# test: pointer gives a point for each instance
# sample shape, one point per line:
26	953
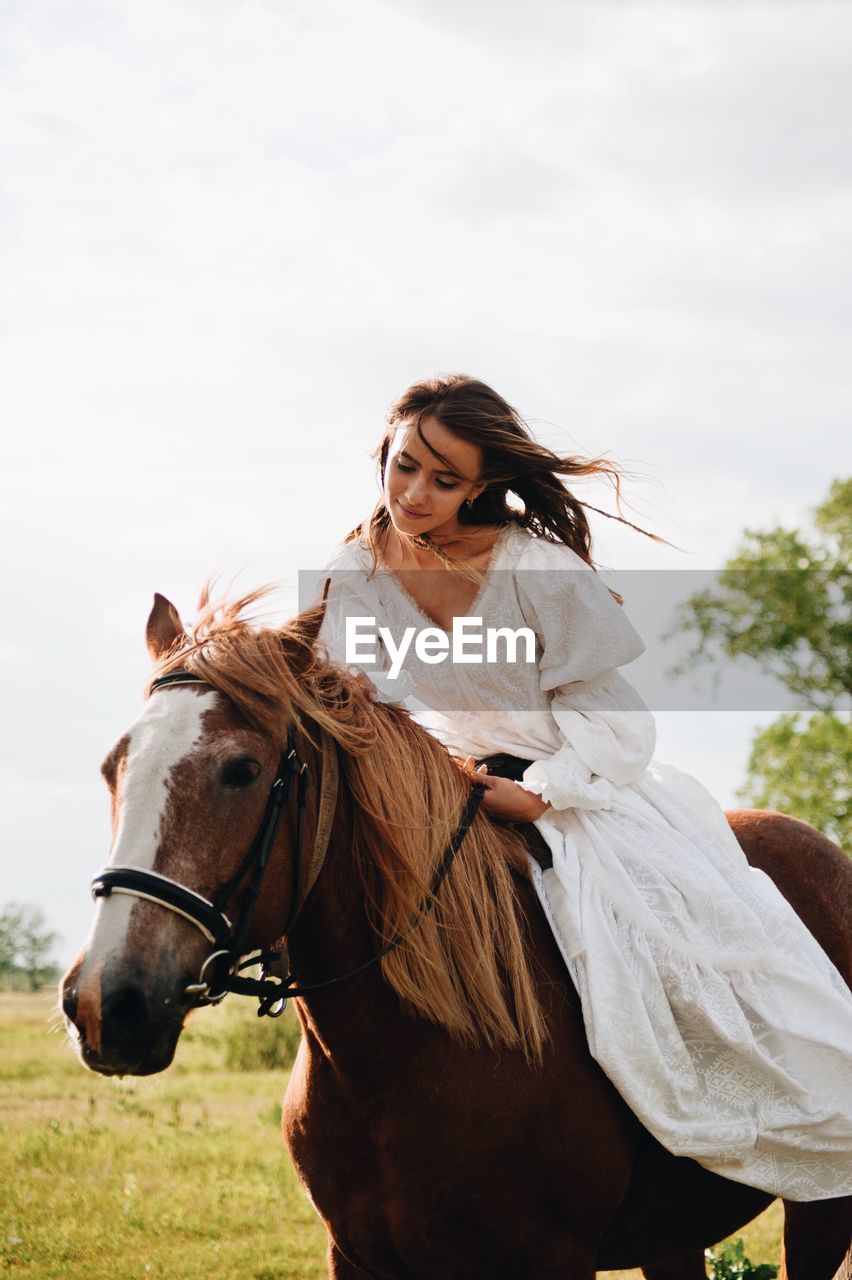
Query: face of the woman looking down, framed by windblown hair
424	493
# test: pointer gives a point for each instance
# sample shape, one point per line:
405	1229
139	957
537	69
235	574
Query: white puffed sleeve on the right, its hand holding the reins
607	730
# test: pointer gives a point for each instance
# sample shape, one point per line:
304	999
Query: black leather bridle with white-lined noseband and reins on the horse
222	971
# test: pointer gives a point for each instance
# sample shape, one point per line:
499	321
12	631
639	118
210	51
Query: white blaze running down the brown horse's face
166	734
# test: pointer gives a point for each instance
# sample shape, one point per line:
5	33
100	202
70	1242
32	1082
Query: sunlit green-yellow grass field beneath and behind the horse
176	1177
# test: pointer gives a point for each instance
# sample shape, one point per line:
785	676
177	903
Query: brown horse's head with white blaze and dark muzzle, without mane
203	796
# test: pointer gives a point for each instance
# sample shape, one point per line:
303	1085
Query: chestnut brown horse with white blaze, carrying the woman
445	1112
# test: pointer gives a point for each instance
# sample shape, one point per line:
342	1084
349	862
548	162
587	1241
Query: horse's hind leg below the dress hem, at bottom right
818	1240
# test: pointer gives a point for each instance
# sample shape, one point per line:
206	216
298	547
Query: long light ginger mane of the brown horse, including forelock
468	966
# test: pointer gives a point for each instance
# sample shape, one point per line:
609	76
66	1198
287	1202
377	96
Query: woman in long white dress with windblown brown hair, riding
707	1002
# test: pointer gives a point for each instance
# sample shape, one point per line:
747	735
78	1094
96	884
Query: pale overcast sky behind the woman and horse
233	231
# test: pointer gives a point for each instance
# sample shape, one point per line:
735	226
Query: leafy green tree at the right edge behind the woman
784	602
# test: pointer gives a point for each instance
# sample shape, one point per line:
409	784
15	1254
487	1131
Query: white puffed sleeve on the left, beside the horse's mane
352	595
